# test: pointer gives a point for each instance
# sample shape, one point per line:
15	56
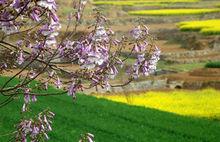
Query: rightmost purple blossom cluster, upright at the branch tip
147	53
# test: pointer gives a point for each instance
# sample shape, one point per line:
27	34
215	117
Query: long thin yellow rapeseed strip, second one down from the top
172	12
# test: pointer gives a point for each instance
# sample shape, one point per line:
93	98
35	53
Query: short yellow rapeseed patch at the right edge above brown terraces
205	27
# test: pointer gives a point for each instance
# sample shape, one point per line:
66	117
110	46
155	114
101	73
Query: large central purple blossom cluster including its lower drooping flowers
93	55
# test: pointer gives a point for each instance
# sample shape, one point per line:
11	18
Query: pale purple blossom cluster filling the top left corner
10	22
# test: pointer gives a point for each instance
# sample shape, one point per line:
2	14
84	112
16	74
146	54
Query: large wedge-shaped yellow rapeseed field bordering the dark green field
203	103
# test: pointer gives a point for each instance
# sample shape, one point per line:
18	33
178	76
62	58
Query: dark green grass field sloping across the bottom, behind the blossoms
111	122
